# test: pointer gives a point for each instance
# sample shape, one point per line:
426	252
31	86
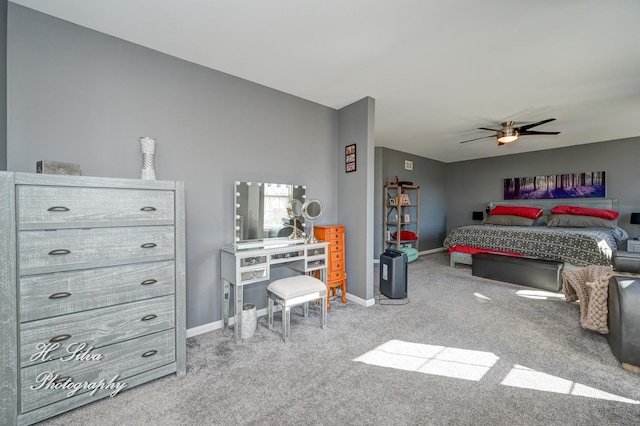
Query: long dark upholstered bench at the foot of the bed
538	273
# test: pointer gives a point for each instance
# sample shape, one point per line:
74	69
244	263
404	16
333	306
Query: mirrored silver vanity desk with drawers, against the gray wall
247	264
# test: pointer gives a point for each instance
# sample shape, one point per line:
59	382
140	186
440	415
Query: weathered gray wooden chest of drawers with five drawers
92	289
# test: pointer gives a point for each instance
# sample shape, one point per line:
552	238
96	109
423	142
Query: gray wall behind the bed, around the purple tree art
471	184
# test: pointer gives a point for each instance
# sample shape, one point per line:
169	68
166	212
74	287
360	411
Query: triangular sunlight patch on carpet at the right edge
523	377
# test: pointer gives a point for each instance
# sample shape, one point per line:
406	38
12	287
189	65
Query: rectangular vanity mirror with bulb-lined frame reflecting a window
261	212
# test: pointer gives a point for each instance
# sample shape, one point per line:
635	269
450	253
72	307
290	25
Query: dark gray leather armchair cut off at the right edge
624	310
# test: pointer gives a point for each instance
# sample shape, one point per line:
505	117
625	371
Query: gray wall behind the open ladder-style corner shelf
430	176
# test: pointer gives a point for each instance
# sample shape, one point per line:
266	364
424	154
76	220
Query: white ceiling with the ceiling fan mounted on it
438	69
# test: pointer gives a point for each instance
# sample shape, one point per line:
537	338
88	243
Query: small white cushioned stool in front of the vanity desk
292	291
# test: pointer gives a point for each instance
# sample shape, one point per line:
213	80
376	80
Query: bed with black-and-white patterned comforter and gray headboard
573	246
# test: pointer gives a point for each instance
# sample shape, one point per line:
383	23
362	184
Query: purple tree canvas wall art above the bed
572	185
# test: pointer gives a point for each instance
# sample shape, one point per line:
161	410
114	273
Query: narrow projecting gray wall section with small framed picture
355	196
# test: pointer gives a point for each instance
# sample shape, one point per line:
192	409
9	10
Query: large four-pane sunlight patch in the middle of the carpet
429	359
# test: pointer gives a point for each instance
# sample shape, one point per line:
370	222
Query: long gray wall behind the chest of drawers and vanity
80	96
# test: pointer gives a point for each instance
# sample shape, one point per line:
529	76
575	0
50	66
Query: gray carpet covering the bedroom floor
314	379
